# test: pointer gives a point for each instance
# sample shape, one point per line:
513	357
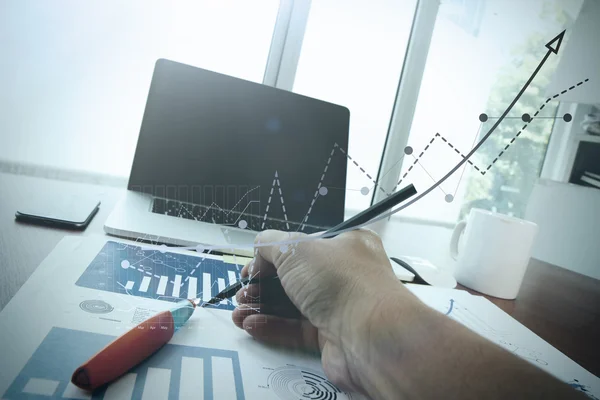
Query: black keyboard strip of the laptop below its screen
217	215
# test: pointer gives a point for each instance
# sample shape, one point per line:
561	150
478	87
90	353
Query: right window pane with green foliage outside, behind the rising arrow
476	68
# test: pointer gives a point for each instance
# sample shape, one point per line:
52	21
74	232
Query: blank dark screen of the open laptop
219	141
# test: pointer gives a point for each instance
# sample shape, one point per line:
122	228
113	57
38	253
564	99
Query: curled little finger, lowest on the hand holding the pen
280	331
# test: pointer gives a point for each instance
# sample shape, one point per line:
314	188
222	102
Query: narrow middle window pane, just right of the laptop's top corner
352	55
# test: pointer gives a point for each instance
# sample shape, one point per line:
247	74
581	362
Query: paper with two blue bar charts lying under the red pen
82	297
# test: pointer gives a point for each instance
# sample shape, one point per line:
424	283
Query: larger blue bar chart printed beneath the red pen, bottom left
174	372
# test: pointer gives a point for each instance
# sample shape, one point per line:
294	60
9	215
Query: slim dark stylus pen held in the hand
361	218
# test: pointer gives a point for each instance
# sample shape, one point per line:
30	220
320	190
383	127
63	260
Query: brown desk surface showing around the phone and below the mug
560	306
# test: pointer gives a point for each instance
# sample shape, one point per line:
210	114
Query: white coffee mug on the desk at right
494	254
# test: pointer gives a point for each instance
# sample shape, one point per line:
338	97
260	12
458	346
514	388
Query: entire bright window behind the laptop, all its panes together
75	77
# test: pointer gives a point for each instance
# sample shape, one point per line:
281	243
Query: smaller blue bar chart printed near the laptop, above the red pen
131	270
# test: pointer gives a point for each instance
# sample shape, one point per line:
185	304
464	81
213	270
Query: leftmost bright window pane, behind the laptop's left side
75	74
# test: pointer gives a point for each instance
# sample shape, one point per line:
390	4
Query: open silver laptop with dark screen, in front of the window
219	159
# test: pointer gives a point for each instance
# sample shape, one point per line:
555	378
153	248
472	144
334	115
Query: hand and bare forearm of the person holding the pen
341	297
